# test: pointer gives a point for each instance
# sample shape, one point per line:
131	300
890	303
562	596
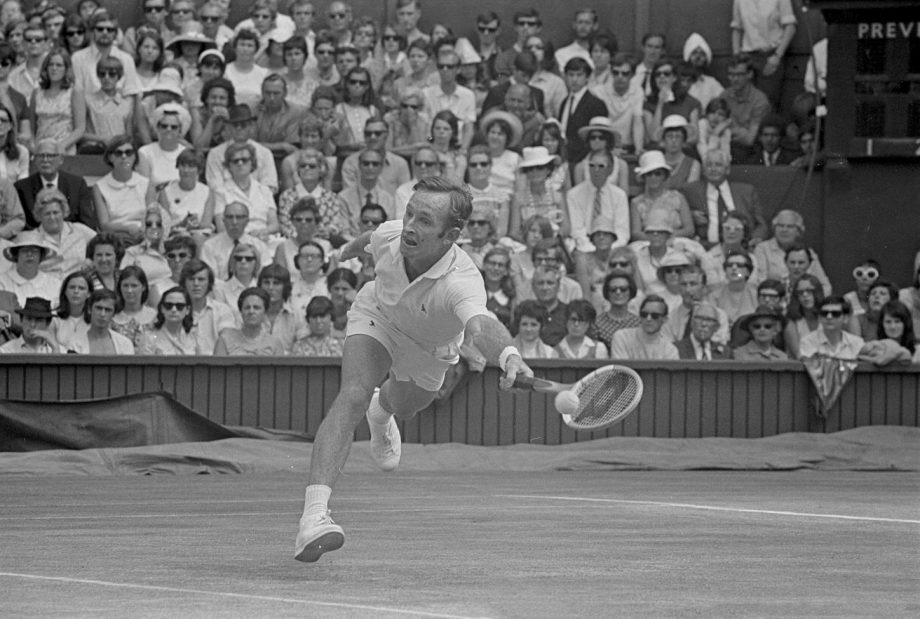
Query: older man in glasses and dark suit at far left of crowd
49	157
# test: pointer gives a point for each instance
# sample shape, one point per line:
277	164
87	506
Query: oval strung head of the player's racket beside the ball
605	396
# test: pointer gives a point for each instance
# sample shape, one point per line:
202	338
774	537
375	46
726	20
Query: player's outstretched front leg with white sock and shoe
365	363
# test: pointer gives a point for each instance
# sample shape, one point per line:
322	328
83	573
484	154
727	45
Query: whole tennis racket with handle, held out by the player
604	397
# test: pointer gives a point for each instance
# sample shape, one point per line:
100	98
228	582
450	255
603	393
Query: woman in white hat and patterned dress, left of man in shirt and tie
534	196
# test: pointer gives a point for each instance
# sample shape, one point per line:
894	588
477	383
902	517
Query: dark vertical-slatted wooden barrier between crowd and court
682	399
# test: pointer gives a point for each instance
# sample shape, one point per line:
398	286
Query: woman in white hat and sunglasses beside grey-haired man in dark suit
653	172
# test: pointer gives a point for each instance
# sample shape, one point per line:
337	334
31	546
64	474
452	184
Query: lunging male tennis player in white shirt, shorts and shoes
408	323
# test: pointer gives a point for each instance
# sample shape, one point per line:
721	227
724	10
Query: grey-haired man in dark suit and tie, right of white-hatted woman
713	197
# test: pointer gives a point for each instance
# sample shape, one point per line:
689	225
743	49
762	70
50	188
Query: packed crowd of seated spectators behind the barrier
243	156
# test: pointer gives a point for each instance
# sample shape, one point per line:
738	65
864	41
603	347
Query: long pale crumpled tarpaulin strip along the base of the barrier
871	448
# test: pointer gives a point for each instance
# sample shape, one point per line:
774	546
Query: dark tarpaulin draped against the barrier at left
128	421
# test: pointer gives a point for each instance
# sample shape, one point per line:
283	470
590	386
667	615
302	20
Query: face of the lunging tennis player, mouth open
425	235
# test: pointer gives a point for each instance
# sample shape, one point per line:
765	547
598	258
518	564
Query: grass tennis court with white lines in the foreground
552	544
